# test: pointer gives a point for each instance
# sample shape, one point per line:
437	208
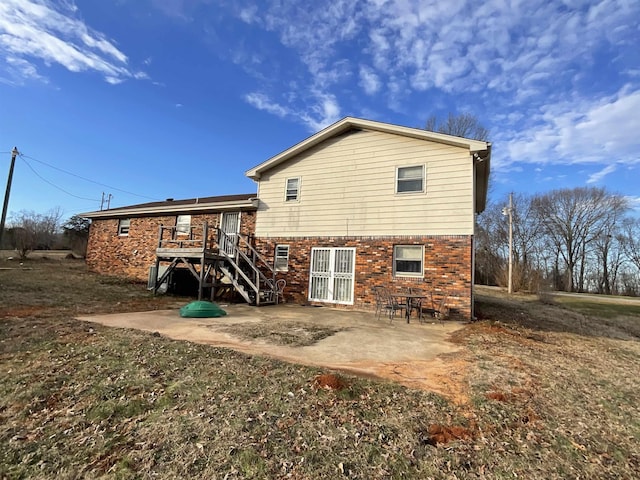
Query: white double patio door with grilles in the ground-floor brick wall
332	275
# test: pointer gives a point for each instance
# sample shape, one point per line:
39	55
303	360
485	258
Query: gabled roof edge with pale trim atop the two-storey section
479	150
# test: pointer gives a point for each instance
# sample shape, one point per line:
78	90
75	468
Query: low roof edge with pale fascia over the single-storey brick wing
246	201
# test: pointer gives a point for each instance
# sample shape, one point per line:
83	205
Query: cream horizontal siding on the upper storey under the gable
348	188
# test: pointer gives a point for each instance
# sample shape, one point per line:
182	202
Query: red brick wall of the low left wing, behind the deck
131	255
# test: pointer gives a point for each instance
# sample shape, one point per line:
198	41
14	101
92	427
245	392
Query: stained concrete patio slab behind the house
398	351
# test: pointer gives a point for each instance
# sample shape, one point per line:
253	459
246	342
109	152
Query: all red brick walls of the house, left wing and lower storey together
447	260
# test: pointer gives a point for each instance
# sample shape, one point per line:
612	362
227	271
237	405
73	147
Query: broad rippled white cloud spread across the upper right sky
522	62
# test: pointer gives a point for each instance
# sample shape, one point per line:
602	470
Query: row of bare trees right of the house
577	240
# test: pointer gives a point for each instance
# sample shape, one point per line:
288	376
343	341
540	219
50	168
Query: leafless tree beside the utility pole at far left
31	230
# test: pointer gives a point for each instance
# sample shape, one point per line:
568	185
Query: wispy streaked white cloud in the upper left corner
33	31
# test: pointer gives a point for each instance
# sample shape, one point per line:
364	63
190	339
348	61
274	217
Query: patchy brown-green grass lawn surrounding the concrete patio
552	391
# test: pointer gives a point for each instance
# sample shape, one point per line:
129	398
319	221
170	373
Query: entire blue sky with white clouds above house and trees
151	99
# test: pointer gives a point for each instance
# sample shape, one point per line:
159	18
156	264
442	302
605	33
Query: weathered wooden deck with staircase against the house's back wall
211	259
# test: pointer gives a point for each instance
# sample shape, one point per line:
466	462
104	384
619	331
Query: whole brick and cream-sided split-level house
357	205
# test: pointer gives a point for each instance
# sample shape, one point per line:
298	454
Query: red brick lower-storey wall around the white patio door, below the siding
447	267
